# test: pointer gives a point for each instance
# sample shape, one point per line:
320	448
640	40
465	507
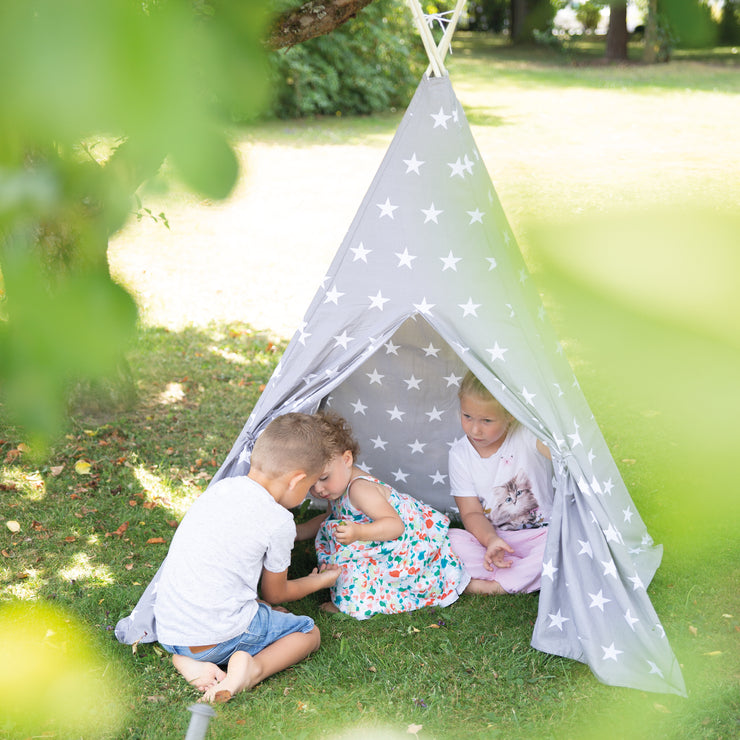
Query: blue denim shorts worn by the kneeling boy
267	627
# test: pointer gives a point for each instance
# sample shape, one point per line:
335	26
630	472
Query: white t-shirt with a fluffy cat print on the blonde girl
514	485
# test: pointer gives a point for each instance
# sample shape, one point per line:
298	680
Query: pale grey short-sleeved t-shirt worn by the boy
208	588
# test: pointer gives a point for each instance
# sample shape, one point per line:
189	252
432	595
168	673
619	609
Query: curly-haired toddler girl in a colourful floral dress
393	550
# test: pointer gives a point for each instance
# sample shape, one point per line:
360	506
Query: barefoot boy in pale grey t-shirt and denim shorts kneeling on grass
239	530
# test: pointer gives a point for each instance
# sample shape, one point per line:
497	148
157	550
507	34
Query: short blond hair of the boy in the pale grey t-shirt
291	442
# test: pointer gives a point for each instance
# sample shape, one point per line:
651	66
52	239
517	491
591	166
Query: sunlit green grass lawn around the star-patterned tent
622	186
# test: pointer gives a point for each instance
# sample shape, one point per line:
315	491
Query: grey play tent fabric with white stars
429	282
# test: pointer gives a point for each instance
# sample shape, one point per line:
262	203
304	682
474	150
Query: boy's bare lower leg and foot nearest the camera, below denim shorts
246	671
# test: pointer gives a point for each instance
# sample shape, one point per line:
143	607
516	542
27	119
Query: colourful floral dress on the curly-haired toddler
415	570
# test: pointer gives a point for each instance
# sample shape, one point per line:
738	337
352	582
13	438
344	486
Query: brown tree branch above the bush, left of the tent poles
312	19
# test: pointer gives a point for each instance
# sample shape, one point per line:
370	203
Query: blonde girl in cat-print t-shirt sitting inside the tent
501	479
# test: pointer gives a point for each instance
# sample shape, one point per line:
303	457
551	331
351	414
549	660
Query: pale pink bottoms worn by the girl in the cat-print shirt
526	562
